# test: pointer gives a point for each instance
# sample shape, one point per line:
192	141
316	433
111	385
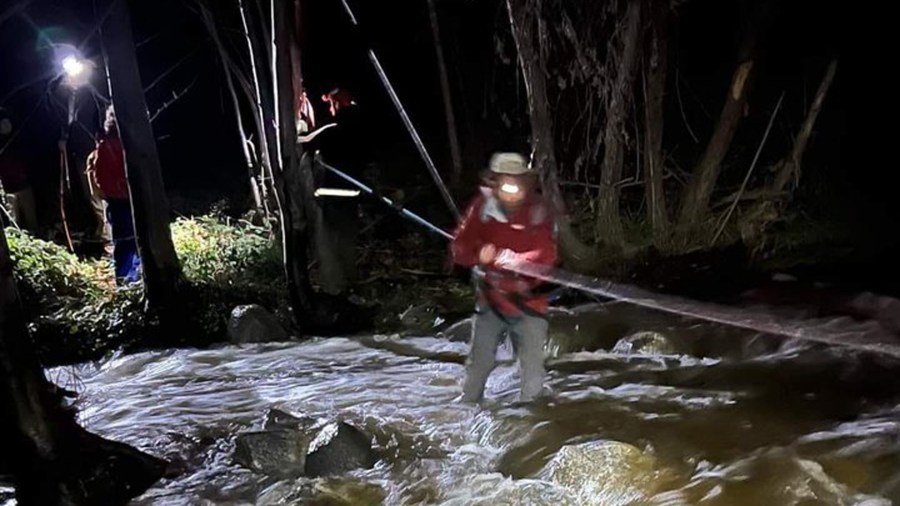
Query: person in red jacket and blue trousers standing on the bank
107	170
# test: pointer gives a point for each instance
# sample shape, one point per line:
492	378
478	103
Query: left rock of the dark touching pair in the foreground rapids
279	453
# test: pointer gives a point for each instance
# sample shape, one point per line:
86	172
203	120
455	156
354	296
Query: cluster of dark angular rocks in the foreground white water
302	446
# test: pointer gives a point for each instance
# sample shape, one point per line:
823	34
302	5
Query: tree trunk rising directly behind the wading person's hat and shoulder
525	21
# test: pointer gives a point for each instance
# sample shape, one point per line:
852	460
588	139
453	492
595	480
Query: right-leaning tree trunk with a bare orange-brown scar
695	202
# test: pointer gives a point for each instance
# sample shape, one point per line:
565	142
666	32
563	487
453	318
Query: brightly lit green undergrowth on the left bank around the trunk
76	311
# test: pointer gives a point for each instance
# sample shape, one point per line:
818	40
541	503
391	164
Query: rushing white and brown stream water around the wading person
716	416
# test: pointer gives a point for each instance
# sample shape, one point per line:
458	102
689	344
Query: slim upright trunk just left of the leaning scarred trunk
656	66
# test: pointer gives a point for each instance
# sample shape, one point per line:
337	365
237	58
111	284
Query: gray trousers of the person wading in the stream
527	334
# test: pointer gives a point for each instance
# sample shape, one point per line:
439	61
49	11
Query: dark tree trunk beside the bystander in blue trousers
148	196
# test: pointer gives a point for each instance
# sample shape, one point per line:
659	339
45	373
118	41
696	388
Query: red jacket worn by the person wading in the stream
529	235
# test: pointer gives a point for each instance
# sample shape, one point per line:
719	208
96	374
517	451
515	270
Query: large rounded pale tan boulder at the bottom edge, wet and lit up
603	473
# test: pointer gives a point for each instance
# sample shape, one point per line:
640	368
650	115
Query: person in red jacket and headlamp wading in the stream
510	222
